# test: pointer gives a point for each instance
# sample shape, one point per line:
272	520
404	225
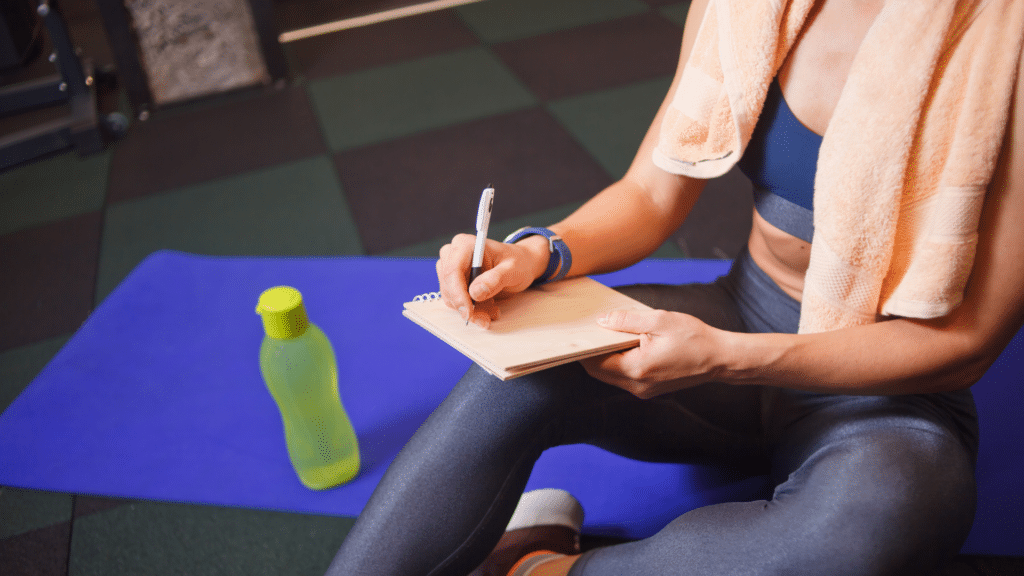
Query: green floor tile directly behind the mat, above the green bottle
292	210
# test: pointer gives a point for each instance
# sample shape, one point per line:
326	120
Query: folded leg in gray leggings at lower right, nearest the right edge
877	496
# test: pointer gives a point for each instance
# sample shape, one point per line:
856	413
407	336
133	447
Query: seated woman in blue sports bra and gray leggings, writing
868	428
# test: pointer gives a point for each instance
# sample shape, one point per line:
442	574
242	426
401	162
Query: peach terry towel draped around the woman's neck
905	162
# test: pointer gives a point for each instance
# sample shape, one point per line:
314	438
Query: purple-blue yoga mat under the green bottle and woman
159	397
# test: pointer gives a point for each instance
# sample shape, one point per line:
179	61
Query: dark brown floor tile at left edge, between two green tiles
50	275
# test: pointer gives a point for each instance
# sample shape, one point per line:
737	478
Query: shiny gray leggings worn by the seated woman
864	485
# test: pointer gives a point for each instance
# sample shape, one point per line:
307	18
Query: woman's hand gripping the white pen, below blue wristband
509	269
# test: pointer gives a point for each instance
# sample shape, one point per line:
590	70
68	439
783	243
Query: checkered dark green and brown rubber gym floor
379	145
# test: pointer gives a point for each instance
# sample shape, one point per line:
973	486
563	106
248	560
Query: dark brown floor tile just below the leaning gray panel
214	140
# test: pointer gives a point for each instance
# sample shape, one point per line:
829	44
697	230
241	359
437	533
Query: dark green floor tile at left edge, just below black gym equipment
52	190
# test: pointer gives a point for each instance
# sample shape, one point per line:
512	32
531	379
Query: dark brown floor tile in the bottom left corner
40	553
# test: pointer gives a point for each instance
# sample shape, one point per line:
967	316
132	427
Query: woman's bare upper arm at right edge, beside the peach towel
993	310
